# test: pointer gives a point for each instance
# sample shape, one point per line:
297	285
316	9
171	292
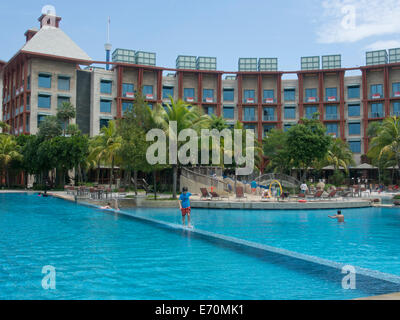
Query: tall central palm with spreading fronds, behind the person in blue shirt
185	116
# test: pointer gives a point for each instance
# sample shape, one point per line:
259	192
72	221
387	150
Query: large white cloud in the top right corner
354	20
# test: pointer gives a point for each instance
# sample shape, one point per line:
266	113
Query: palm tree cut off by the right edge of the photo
386	141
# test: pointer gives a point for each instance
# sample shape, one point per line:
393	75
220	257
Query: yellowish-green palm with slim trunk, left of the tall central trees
105	148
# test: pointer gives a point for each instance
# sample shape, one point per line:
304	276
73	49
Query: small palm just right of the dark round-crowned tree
339	155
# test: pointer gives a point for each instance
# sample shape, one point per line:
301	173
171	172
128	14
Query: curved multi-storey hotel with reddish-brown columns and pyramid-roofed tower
50	69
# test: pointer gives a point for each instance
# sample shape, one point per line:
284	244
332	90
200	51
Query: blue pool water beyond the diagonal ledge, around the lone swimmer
369	237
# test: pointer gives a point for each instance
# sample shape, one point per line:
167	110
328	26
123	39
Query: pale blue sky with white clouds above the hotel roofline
226	29
